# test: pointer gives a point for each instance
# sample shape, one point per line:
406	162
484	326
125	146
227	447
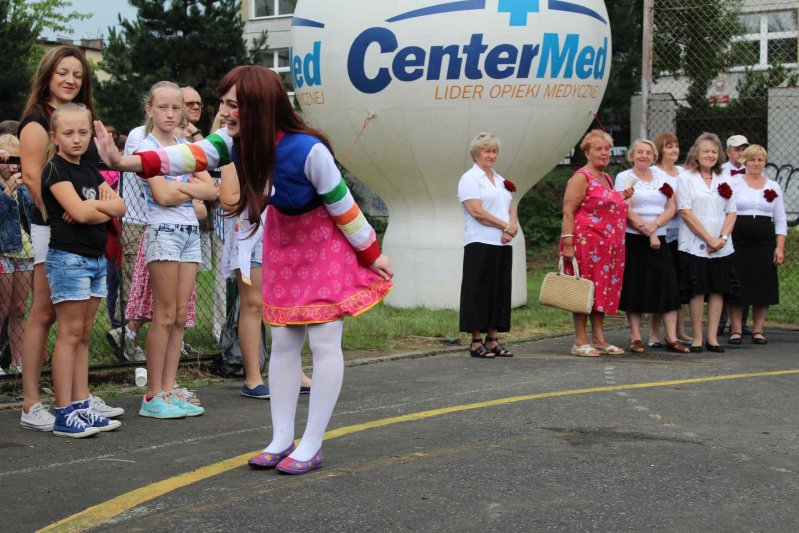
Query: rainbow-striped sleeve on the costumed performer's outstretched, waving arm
212	152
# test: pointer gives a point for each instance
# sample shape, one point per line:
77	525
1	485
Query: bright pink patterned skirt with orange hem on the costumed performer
311	274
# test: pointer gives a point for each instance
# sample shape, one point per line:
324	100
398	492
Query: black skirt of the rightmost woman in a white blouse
754	241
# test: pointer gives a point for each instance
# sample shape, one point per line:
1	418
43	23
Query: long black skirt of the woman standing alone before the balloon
486	287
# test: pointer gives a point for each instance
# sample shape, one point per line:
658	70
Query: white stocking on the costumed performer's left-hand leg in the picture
285	374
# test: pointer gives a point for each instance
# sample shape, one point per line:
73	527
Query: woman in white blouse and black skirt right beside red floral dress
650	279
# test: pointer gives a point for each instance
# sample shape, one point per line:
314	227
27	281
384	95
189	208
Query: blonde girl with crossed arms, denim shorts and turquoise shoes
172	244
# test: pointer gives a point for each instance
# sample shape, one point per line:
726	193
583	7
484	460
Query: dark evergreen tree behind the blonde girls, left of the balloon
189	42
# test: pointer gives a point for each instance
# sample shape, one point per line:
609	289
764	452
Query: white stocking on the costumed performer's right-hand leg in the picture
328	371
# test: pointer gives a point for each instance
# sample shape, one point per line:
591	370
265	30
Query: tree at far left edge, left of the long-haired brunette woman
21	24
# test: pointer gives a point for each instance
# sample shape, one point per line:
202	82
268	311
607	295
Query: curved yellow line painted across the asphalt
101	513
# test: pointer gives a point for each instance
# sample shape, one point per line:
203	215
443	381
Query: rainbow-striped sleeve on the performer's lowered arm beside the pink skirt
352	223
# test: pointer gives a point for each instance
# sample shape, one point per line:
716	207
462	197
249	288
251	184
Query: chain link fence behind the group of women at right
731	67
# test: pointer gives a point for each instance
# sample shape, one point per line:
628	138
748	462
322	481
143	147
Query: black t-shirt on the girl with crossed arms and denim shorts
87	240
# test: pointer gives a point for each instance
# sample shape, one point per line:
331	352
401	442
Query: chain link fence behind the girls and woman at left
109	345
